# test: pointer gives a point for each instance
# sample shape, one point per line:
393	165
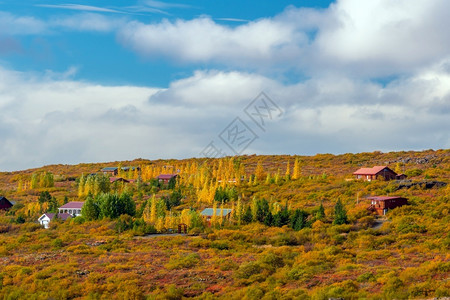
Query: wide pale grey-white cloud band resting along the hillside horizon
56	120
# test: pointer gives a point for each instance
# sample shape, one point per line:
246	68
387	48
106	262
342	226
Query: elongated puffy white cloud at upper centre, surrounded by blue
203	40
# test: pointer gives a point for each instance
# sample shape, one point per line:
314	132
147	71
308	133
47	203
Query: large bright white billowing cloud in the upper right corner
385	37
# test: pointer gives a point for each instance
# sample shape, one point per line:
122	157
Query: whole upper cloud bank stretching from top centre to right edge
363	38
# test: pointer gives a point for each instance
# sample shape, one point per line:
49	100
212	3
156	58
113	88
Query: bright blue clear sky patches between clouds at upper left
60	50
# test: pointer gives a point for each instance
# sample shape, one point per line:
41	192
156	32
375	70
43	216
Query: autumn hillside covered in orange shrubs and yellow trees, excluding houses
277	243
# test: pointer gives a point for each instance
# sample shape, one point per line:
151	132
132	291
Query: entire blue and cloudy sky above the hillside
97	81
